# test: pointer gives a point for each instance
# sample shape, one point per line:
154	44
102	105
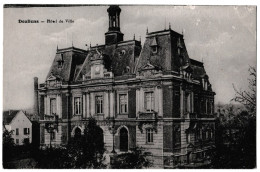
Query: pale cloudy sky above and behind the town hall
223	37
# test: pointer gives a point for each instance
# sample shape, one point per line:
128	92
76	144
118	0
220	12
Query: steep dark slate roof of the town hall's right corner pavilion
167	56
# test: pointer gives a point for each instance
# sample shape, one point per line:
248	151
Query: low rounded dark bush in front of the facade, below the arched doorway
136	159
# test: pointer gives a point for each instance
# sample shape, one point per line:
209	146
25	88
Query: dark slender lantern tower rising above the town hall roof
114	34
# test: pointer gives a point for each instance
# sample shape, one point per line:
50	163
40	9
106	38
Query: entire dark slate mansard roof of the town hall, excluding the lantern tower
128	56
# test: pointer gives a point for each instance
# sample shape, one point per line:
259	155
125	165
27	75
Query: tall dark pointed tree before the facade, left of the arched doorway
88	150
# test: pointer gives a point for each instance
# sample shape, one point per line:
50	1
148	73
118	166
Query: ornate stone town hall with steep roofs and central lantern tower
152	96
